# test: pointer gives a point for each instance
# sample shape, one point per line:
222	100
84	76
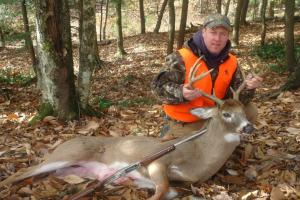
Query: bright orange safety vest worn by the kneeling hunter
181	112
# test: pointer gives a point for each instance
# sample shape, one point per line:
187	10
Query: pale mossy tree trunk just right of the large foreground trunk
87	57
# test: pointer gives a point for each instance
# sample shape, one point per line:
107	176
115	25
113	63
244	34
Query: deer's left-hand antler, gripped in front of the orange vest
193	78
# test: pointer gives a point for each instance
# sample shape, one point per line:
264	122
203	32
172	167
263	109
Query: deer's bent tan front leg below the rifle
158	174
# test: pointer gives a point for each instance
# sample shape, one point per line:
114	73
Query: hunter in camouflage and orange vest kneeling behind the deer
171	85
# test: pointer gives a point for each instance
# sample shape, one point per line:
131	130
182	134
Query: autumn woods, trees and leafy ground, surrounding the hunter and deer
70	68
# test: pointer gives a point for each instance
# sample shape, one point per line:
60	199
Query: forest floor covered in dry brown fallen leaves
265	166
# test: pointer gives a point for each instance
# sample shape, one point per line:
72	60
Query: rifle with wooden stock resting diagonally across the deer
144	162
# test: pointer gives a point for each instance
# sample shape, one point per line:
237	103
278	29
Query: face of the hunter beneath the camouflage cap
215	39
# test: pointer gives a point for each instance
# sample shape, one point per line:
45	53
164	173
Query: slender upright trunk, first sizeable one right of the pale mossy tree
120	52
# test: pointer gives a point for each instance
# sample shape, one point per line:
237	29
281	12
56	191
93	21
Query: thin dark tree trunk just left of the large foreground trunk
28	40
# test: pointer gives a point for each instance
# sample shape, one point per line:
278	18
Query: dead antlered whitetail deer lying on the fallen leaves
195	161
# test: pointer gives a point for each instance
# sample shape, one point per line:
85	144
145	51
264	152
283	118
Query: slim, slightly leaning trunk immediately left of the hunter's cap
184	13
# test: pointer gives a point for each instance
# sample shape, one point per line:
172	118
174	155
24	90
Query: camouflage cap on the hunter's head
216	20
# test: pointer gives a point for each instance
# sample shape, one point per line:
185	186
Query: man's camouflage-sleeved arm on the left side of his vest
168	84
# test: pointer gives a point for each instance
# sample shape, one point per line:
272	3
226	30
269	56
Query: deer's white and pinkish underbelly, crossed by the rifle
100	171
